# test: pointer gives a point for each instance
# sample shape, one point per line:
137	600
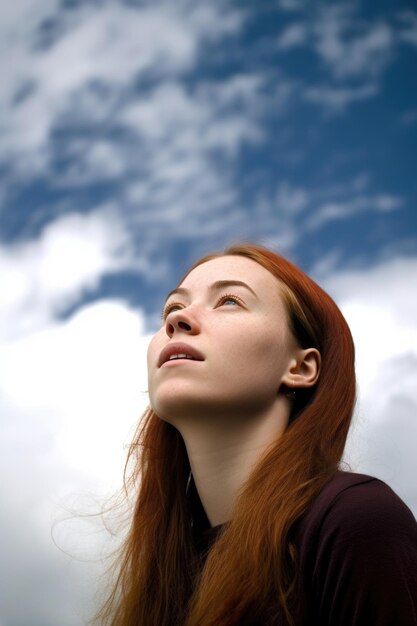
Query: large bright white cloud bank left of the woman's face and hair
70	394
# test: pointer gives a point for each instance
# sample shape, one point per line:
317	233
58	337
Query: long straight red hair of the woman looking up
249	574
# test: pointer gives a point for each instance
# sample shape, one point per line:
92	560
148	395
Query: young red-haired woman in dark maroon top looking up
242	514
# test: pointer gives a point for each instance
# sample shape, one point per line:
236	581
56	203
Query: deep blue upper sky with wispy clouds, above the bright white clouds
283	122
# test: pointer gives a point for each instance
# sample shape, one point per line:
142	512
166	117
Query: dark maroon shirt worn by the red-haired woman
357	554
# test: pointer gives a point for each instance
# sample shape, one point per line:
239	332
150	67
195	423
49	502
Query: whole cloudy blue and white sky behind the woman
136	137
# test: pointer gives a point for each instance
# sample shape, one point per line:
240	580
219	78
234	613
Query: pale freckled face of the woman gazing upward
229	319
